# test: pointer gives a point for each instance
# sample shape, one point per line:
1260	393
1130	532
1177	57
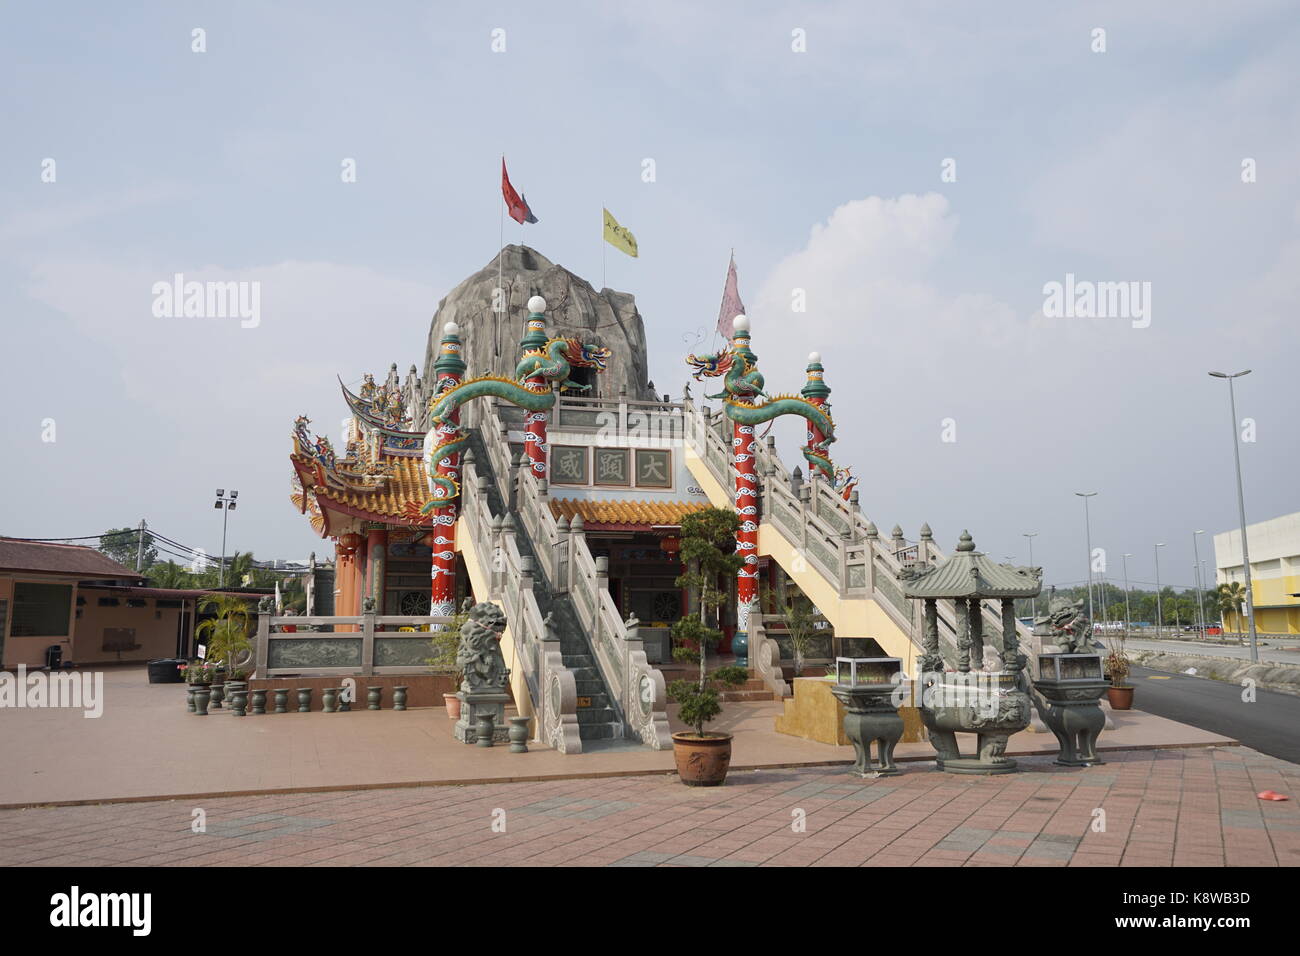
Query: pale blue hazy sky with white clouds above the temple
900	183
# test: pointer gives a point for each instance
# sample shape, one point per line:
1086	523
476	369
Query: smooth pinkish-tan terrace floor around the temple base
146	747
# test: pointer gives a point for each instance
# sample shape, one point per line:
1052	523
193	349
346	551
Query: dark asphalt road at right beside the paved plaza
1271	725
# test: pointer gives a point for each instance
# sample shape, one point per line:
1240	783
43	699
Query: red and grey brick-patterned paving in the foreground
1159	808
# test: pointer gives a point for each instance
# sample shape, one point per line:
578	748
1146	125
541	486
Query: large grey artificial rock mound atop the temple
574	308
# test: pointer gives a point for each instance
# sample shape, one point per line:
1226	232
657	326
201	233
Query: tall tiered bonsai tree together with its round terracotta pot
707	550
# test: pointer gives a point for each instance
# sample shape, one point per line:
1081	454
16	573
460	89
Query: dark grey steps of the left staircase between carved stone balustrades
597	717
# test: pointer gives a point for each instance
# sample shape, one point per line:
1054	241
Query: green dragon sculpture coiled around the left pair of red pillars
551	365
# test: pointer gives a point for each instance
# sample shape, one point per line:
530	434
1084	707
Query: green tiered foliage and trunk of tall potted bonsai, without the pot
708	551
